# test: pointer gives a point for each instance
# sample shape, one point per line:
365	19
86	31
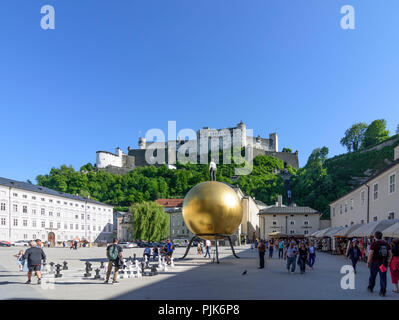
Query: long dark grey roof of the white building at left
39	189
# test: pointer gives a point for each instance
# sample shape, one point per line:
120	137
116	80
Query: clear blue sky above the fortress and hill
114	68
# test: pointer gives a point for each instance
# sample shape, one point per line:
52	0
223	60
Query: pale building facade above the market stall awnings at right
376	199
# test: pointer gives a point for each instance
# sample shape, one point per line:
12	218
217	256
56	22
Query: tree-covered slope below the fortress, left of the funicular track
151	183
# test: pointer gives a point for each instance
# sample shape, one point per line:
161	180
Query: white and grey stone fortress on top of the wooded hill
120	162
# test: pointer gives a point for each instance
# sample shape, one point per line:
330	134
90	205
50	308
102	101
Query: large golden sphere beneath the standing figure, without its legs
212	208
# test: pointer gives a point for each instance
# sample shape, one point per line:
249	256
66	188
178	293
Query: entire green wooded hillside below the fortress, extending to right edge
318	183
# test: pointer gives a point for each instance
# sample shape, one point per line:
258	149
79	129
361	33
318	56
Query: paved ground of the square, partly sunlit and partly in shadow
193	278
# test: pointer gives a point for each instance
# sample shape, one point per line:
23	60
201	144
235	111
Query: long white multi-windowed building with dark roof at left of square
29	212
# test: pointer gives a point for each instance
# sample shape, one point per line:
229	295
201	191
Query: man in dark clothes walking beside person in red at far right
379	257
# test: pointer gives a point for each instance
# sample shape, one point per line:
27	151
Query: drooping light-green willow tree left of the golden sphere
150	222
